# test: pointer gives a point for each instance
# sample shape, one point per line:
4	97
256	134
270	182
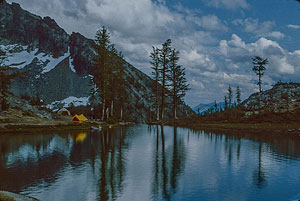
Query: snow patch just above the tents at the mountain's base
82	101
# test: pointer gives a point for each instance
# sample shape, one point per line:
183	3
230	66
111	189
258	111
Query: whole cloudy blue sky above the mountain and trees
216	38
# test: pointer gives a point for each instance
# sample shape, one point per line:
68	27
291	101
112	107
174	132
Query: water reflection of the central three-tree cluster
168	165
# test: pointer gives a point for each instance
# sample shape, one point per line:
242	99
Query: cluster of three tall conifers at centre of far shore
169	77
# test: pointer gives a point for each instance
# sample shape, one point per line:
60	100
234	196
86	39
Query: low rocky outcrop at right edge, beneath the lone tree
281	98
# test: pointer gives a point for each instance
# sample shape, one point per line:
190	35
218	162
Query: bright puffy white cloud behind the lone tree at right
282	63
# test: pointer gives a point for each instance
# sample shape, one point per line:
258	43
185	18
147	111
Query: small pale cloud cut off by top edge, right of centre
228	4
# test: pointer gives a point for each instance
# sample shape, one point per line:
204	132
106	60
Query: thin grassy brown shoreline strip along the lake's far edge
52	126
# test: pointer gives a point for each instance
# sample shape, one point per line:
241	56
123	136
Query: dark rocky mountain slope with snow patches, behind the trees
56	64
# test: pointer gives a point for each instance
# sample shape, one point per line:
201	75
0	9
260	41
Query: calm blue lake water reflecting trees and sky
151	163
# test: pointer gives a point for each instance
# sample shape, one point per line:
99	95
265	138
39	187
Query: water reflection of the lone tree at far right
258	175
